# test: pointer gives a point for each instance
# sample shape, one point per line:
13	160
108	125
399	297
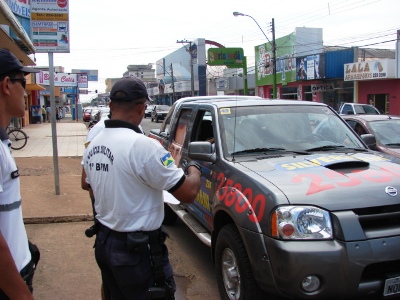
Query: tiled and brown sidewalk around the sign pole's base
38	180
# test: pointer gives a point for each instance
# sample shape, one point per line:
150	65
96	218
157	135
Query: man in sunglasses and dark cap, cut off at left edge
16	260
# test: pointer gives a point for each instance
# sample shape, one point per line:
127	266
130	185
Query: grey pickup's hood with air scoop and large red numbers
334	181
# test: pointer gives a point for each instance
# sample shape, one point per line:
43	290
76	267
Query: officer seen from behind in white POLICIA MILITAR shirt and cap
128	173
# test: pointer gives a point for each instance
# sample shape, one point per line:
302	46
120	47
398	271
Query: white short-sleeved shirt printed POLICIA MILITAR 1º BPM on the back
128	172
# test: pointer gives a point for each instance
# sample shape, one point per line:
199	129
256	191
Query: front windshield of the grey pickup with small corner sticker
292	128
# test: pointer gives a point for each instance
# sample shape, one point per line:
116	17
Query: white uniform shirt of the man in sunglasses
11	221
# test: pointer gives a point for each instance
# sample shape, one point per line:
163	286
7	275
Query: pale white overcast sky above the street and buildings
110	35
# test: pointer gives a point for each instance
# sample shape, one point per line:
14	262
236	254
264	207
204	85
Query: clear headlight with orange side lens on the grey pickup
300	223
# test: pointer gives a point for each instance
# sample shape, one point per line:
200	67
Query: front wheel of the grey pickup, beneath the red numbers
232	266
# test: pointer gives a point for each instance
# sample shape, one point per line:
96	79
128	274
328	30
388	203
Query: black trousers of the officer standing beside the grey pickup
126	274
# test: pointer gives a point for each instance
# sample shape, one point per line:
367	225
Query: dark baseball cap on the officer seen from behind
132	87
